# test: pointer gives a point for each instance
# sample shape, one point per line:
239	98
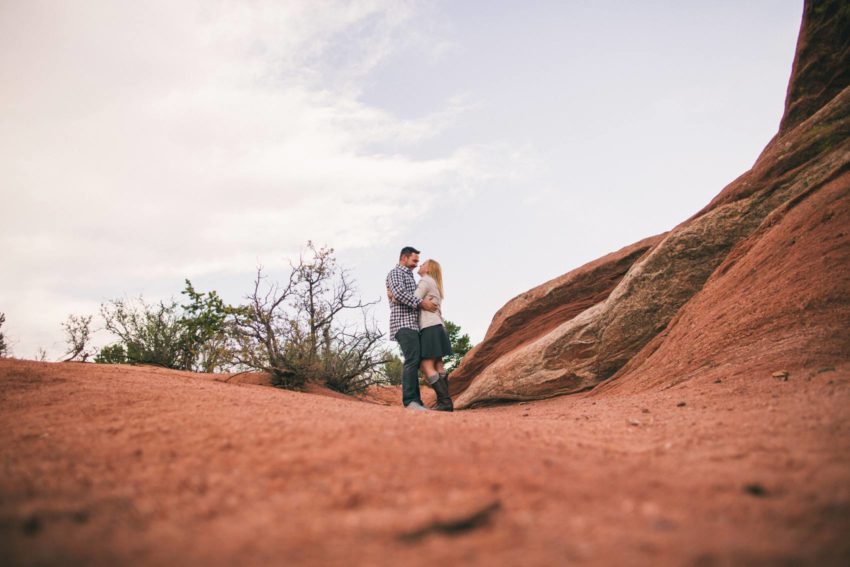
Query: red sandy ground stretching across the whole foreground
119	465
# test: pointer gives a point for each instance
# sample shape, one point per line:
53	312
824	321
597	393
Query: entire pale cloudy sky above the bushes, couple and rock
142	143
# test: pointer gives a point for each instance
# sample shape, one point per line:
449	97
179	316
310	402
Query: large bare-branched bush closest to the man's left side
304	331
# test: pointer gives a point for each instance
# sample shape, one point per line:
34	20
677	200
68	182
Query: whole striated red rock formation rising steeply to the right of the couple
563	337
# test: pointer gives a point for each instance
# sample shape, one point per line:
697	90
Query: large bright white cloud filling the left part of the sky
164	139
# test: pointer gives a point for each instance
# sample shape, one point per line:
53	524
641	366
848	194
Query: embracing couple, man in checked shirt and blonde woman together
416	324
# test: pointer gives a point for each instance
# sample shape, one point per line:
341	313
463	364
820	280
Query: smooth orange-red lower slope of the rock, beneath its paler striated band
780	302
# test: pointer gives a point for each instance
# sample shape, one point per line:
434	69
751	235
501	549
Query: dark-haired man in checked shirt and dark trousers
404	323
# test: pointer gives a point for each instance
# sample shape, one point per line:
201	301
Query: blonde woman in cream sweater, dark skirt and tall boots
433	339
